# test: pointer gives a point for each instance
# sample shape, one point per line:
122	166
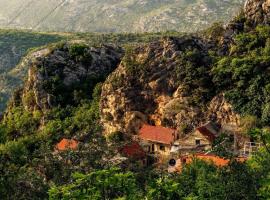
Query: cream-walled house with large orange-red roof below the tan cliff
157	139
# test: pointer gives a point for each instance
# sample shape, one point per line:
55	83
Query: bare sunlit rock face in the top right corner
257	11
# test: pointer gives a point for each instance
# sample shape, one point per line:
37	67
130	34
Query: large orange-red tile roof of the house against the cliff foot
157	134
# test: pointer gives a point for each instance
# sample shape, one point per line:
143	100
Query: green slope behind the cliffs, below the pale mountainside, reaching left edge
15	44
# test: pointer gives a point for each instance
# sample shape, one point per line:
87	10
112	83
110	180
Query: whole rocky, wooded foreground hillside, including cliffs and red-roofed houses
97	120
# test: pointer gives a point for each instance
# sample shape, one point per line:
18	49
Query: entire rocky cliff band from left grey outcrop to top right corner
167	82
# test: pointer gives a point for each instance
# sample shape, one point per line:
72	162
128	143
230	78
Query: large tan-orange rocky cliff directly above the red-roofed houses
165	83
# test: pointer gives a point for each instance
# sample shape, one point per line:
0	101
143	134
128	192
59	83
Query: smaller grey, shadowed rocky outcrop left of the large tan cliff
54	74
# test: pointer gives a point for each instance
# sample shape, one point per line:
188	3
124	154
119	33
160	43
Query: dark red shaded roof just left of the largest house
133	150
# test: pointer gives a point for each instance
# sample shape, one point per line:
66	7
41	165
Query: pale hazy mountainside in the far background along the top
117	15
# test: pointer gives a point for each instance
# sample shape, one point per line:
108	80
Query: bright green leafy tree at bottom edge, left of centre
102	184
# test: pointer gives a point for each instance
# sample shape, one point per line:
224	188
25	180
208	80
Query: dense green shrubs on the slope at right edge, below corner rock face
244	74
